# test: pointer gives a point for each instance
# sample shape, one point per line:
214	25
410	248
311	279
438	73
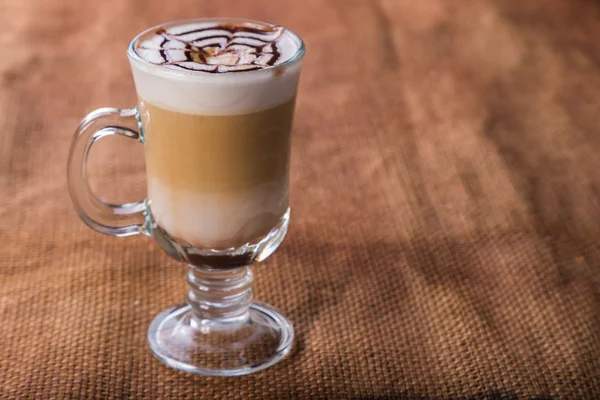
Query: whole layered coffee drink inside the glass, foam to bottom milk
216	102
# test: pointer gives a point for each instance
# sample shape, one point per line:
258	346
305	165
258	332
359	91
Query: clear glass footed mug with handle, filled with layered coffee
217	149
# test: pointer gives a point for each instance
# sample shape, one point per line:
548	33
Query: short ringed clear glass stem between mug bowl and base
219	297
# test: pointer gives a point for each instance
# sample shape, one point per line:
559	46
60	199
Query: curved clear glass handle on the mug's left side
112	219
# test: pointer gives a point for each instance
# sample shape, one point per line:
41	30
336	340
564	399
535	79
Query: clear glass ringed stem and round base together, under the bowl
220	332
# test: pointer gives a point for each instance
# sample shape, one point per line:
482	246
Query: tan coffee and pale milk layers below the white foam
217	181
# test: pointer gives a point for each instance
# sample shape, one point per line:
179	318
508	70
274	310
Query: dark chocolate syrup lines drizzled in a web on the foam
236	40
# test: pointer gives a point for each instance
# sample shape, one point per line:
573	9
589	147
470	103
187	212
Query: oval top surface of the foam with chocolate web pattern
215	48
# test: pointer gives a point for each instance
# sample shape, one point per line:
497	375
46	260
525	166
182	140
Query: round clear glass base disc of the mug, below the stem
232	347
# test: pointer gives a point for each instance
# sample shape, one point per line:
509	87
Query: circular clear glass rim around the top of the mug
134	56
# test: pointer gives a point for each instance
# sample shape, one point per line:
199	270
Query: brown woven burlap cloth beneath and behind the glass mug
446	204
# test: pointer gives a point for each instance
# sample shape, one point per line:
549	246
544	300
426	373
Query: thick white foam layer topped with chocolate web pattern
216	67
